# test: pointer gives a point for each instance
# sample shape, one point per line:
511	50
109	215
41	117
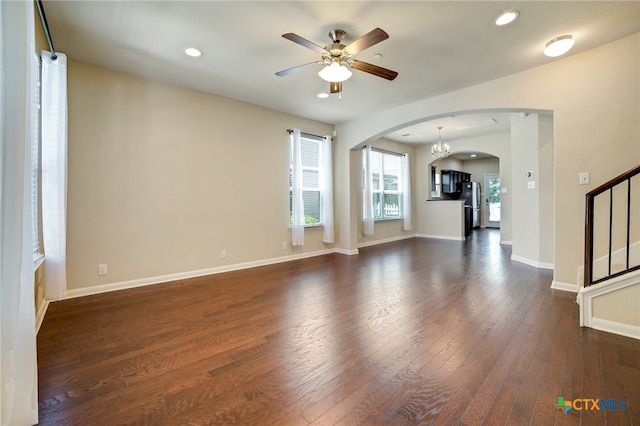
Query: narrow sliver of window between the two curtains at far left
36	144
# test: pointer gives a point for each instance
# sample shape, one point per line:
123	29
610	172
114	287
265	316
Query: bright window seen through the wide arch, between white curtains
387	171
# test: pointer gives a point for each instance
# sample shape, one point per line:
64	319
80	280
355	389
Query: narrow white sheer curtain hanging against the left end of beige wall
54	174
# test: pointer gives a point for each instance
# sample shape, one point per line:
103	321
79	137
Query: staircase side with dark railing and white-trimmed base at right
609	295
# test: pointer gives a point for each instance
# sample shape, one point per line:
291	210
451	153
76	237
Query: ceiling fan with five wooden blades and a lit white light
337	58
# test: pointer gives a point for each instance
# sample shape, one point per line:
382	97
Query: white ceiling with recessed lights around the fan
435	46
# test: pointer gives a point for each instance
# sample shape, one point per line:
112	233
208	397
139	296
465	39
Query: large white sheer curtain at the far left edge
18	390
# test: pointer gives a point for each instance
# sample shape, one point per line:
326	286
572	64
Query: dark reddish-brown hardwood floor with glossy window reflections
412	332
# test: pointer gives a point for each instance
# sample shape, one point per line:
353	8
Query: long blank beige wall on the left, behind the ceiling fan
161	179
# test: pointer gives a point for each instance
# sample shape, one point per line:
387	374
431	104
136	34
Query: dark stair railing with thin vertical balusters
589	226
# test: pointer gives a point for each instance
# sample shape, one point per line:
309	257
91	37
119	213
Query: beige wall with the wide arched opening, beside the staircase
582	91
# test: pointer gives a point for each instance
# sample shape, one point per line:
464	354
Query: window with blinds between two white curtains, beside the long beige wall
311	181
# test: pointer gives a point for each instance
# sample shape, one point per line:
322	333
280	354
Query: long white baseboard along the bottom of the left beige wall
87	291
